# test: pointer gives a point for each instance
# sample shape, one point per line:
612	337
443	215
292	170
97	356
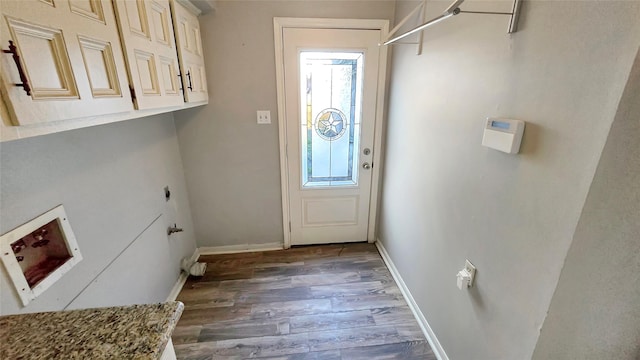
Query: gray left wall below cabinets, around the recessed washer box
110	180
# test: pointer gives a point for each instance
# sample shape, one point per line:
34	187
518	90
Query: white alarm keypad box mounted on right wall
503	134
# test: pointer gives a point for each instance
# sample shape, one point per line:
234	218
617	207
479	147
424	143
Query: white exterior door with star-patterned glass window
330	86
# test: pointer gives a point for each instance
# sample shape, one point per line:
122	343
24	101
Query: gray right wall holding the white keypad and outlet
447	198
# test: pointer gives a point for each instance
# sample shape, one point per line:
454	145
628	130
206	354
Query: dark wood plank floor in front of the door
327	302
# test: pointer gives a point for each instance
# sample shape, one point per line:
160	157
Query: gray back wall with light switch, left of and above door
231	163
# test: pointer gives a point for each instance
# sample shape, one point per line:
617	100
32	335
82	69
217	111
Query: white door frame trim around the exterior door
279	24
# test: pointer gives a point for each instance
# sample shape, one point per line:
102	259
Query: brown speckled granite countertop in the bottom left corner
126	332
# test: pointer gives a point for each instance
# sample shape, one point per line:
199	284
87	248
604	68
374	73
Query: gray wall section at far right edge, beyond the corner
595	312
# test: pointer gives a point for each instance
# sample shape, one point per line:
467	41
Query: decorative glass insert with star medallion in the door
330	113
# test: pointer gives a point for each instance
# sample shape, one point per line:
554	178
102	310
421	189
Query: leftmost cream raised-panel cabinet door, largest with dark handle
67	58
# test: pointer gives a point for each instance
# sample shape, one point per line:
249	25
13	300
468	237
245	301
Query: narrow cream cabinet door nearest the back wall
189	43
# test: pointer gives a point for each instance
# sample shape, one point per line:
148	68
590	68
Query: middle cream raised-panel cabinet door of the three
147	34
